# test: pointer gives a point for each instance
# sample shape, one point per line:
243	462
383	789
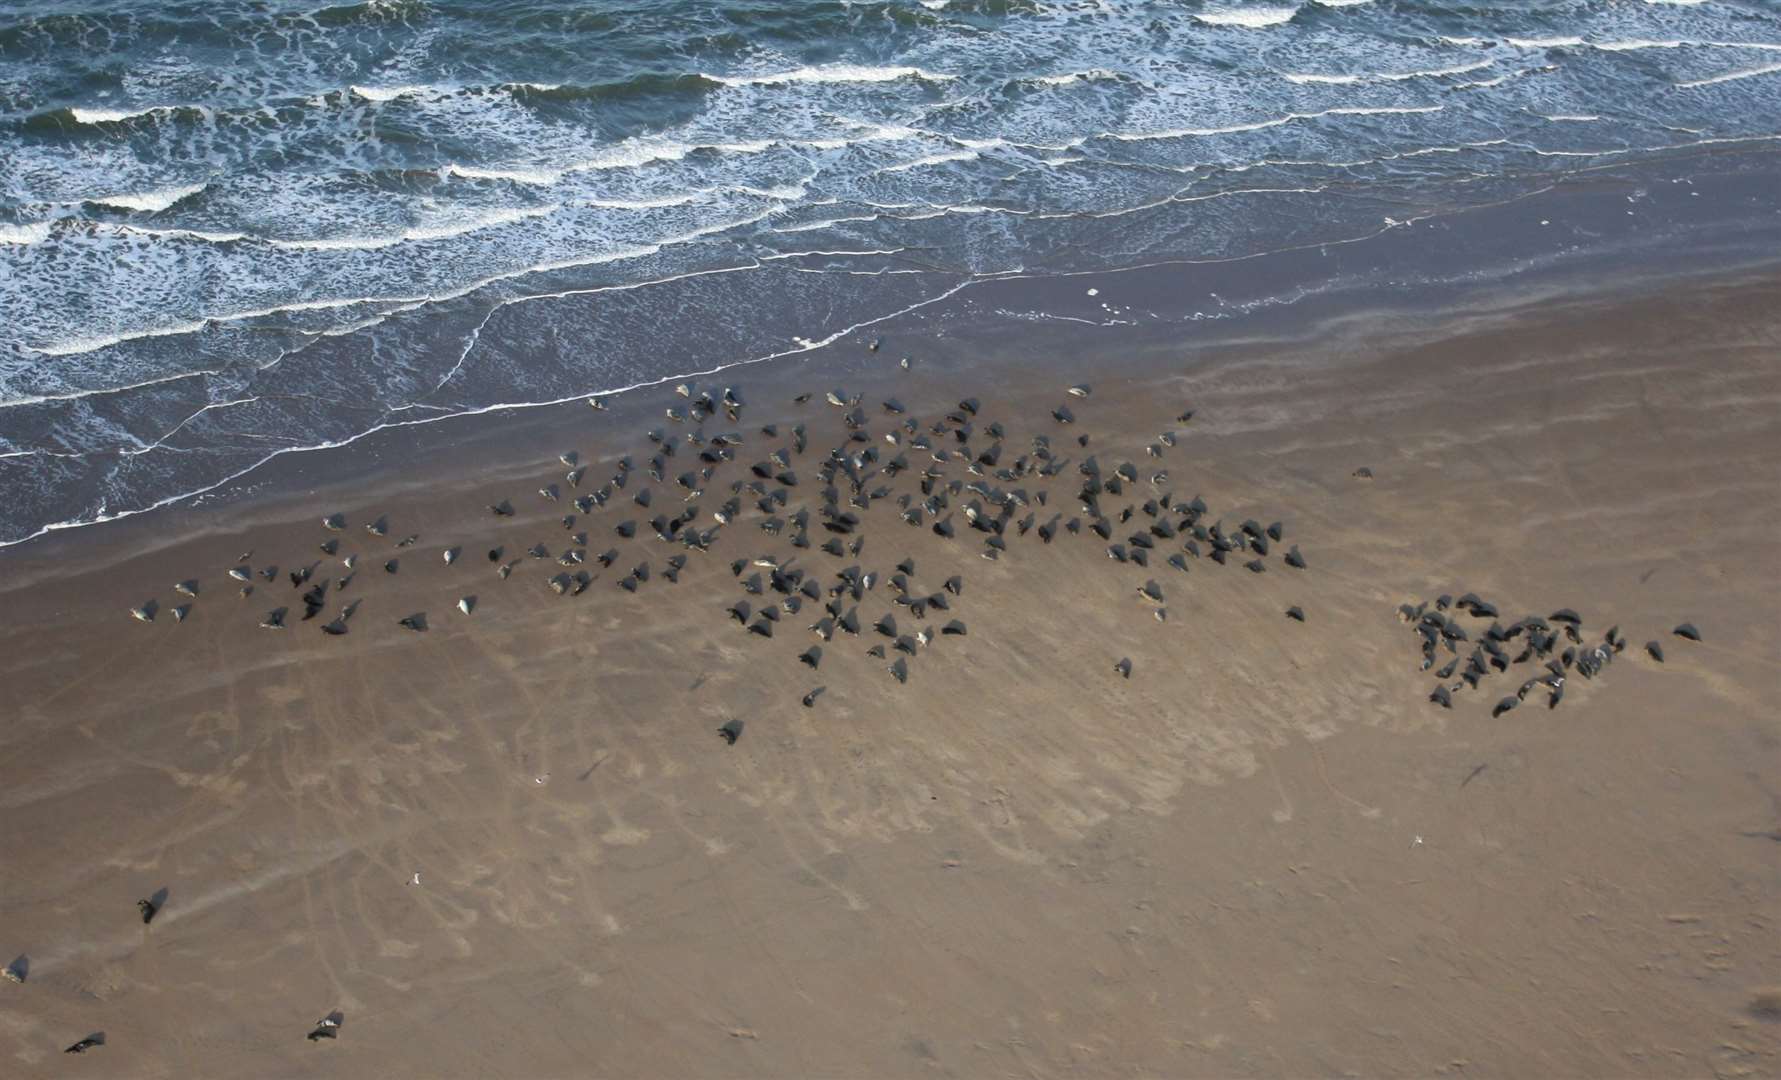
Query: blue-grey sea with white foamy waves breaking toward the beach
241	229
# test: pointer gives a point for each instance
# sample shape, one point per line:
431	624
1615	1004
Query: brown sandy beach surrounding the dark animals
1264	855
